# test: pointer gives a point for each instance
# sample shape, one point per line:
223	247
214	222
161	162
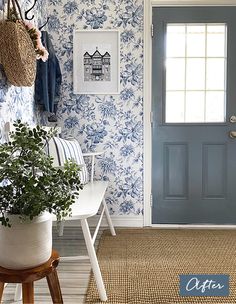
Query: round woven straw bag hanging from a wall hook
17	54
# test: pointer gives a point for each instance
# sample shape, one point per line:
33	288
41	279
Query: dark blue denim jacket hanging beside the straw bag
48	78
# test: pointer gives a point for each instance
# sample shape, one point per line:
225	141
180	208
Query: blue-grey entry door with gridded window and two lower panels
193	157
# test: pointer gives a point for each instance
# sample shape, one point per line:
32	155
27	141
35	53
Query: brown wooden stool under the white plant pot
28	276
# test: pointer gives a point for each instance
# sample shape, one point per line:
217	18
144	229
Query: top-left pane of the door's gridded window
175	41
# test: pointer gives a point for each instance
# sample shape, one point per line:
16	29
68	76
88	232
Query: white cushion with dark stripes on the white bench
65	149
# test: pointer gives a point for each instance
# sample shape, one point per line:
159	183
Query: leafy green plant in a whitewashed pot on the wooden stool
31	190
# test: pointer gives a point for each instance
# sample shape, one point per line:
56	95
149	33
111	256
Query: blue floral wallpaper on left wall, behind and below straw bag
18	102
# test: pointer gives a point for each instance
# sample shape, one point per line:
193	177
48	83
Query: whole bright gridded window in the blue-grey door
196	58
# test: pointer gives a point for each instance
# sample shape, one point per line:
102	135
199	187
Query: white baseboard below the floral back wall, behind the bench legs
118	221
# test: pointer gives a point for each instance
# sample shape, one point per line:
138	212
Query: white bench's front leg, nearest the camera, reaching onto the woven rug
93	260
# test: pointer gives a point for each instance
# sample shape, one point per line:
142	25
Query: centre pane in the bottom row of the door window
195	106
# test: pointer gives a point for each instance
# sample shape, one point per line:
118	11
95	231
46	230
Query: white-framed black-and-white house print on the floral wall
96	62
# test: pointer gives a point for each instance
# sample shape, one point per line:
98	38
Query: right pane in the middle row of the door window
215	74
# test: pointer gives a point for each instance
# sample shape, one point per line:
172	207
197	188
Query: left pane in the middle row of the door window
175	74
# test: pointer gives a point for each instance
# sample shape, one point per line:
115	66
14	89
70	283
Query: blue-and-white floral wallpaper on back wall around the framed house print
113	124
